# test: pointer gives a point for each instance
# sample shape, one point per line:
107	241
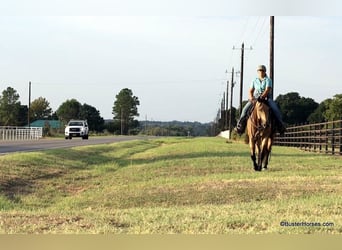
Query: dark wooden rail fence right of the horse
318	137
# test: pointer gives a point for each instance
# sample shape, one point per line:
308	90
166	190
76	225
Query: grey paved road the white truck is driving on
43	144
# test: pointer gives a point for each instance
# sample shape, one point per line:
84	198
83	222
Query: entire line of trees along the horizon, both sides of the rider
294	108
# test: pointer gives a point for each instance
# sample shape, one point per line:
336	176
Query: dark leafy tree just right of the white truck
92	115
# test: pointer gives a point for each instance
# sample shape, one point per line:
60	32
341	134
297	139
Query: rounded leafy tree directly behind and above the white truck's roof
70	109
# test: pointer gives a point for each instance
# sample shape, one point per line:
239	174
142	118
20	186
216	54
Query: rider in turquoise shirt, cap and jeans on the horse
260	88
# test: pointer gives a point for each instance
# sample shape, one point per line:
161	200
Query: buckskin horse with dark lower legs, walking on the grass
260	131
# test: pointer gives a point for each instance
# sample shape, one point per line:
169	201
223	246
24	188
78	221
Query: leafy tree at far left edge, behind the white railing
9	107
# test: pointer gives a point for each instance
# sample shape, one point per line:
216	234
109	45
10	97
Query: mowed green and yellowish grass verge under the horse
169	185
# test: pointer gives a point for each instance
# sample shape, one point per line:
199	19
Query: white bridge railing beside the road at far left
9	133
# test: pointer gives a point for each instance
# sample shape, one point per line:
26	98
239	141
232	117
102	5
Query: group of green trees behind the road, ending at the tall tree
13	113
